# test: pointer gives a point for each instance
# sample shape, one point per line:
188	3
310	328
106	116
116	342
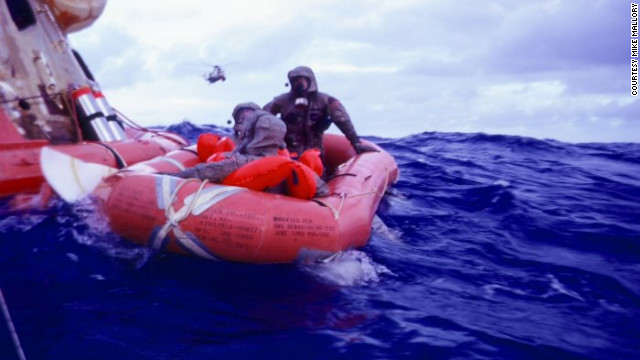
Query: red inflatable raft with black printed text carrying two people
221	222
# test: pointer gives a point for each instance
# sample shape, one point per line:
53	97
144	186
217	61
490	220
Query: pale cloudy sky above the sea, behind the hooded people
543	68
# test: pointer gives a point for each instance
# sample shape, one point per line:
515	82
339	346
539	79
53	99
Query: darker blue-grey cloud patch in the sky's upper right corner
564	37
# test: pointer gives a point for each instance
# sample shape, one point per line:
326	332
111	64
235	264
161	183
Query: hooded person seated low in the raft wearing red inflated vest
257	162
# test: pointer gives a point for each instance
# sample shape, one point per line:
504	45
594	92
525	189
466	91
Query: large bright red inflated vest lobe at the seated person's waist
270	171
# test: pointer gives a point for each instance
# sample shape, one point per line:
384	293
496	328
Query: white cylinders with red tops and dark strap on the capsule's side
92	121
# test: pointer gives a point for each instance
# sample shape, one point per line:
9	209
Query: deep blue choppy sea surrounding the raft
488	247
